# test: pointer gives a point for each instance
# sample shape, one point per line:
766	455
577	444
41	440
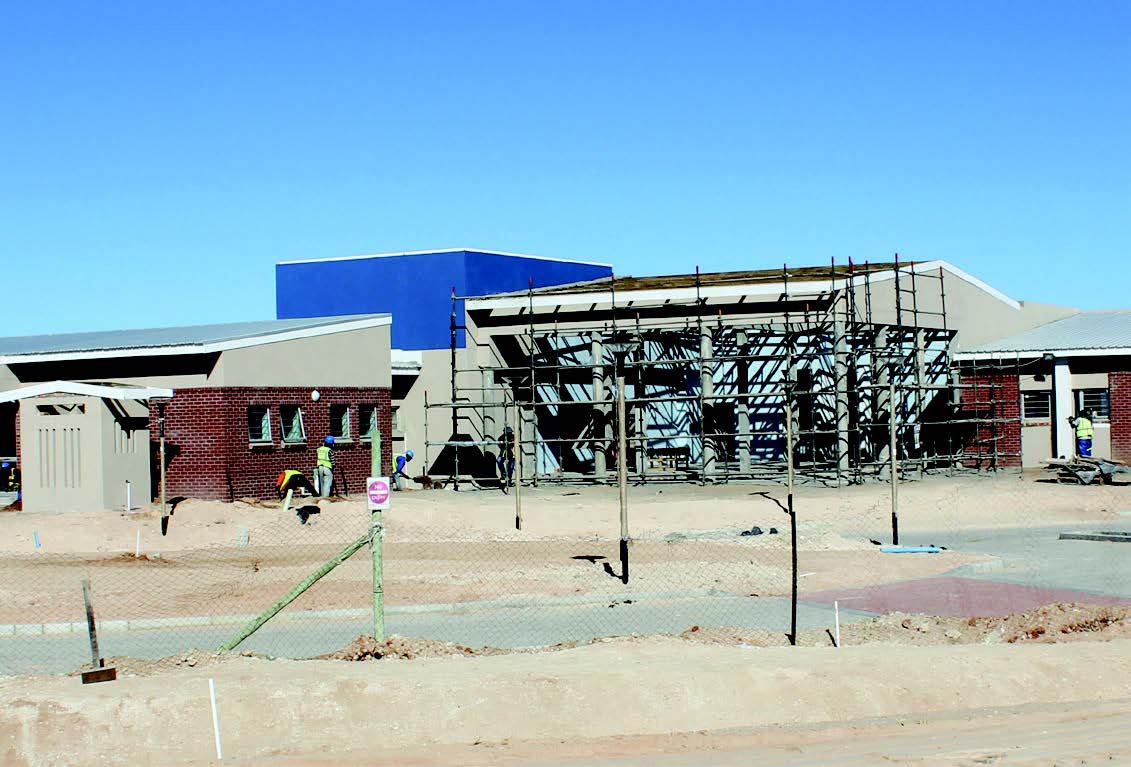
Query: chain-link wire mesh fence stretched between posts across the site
711	558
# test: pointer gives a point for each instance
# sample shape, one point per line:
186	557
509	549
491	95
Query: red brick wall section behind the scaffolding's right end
996	397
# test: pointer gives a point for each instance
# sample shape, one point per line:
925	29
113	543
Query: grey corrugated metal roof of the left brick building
194	335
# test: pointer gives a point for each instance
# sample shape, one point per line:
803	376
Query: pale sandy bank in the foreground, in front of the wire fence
569	704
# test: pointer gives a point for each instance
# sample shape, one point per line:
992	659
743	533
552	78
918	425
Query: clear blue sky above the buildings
157	159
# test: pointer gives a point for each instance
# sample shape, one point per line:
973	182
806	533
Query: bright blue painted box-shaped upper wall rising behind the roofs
416	289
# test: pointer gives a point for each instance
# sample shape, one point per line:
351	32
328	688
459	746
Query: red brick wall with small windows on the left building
208	451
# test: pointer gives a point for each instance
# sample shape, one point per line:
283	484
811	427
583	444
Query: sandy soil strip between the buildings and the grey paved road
443	548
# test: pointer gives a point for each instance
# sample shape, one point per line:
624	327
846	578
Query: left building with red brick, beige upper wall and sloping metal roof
247	400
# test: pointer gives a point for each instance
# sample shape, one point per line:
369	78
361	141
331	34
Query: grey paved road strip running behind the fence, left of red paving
502	627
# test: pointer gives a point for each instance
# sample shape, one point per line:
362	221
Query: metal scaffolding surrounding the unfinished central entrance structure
873	392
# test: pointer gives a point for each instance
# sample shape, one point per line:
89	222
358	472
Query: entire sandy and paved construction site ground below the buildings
1009	647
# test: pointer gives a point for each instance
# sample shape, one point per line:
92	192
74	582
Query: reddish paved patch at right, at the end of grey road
955	597
